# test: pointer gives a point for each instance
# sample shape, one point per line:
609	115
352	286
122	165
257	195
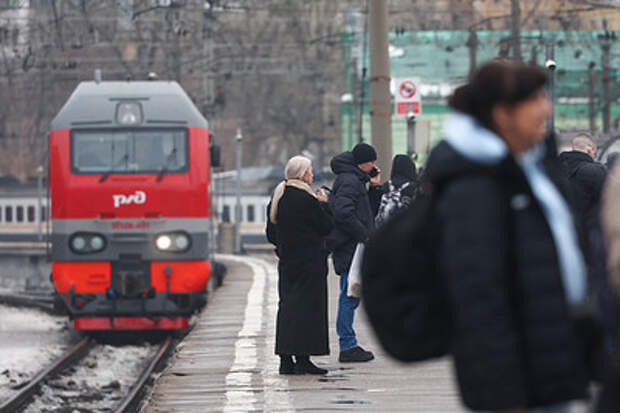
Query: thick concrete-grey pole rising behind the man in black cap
380	98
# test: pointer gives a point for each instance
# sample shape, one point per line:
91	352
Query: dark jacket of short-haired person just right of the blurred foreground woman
587	179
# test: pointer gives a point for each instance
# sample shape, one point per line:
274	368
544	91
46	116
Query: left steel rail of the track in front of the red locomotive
76	353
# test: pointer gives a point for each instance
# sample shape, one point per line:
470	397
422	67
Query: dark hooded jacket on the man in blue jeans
354	205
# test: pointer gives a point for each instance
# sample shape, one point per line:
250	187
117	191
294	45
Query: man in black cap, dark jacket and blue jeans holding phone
354	203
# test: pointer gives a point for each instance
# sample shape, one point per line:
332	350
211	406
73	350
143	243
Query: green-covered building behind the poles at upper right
441	59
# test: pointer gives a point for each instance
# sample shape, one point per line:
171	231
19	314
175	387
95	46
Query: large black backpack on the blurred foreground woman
402	290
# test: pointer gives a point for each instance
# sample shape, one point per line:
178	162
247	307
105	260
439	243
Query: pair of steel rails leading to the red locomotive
71	358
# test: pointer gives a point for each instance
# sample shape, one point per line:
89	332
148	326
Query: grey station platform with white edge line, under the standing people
227	362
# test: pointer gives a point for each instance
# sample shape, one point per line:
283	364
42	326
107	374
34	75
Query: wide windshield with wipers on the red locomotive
129	151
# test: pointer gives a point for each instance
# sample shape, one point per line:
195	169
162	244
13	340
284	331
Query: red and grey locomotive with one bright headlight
129	177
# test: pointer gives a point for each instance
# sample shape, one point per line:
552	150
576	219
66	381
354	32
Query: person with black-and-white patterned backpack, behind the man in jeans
399	191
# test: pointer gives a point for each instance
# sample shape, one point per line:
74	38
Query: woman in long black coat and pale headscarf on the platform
298	222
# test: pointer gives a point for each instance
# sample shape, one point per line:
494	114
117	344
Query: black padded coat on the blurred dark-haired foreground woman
515	342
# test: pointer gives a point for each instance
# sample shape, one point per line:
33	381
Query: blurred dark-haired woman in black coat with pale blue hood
507	247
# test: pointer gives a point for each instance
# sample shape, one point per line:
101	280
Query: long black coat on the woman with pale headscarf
302	224
